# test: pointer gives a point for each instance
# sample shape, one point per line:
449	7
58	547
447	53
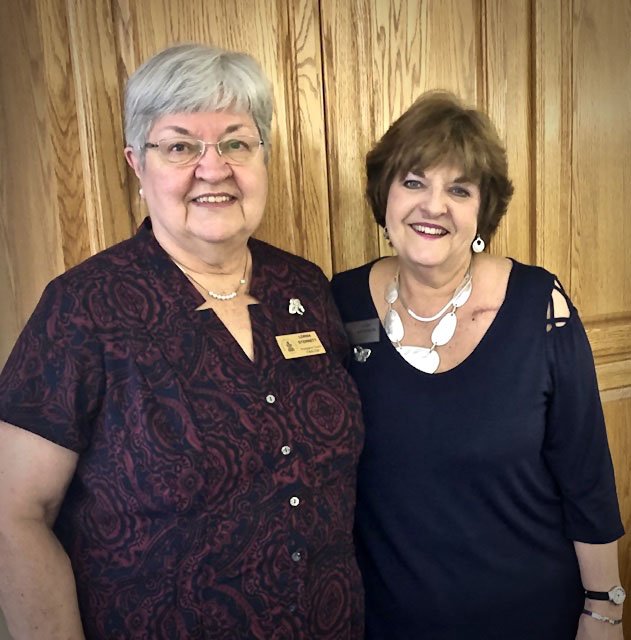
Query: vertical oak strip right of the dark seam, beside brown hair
347	44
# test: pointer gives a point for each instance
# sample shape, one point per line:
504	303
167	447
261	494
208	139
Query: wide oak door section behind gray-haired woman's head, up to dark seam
285	38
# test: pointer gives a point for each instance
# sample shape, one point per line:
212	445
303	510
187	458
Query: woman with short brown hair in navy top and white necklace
486	501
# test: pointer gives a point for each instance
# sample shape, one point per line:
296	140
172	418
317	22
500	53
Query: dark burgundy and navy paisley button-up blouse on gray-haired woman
214	496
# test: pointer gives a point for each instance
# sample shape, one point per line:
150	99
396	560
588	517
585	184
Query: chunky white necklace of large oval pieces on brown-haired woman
425	359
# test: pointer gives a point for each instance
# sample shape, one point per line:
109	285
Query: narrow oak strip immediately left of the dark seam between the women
301	140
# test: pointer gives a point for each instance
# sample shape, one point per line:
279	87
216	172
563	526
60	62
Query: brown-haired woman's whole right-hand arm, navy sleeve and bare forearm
577	453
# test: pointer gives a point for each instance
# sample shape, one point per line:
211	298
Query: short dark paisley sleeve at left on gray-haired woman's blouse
52	382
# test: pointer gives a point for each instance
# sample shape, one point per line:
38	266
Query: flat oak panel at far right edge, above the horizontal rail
601	156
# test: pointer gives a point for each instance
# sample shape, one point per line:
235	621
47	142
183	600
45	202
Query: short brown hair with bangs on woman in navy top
438	129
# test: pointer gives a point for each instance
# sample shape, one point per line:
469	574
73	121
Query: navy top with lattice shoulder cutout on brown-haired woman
474	482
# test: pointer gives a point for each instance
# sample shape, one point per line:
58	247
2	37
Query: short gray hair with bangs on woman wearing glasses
188	78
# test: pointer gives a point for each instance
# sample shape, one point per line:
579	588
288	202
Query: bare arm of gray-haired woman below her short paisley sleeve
37	589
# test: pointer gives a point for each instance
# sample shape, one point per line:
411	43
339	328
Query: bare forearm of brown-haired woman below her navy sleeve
599	572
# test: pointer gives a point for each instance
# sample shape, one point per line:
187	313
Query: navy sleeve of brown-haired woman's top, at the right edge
576	447
